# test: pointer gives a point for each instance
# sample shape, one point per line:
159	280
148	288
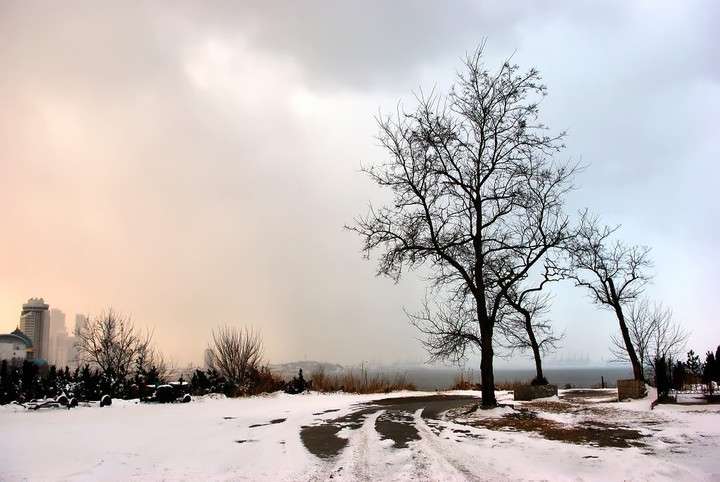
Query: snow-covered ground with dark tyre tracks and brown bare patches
580	435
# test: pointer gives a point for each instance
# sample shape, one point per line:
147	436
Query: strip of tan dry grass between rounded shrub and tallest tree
359	381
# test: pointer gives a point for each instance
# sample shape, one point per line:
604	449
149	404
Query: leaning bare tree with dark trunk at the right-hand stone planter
613	273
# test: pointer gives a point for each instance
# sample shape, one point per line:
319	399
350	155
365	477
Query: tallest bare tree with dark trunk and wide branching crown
477	200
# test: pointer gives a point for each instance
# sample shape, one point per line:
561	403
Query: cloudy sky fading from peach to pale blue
192	164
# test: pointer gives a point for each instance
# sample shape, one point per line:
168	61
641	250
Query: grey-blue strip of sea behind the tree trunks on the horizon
575	377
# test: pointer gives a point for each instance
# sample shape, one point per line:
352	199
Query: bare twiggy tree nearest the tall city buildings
111	342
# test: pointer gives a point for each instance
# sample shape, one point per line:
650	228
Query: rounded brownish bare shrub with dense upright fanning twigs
236	354
